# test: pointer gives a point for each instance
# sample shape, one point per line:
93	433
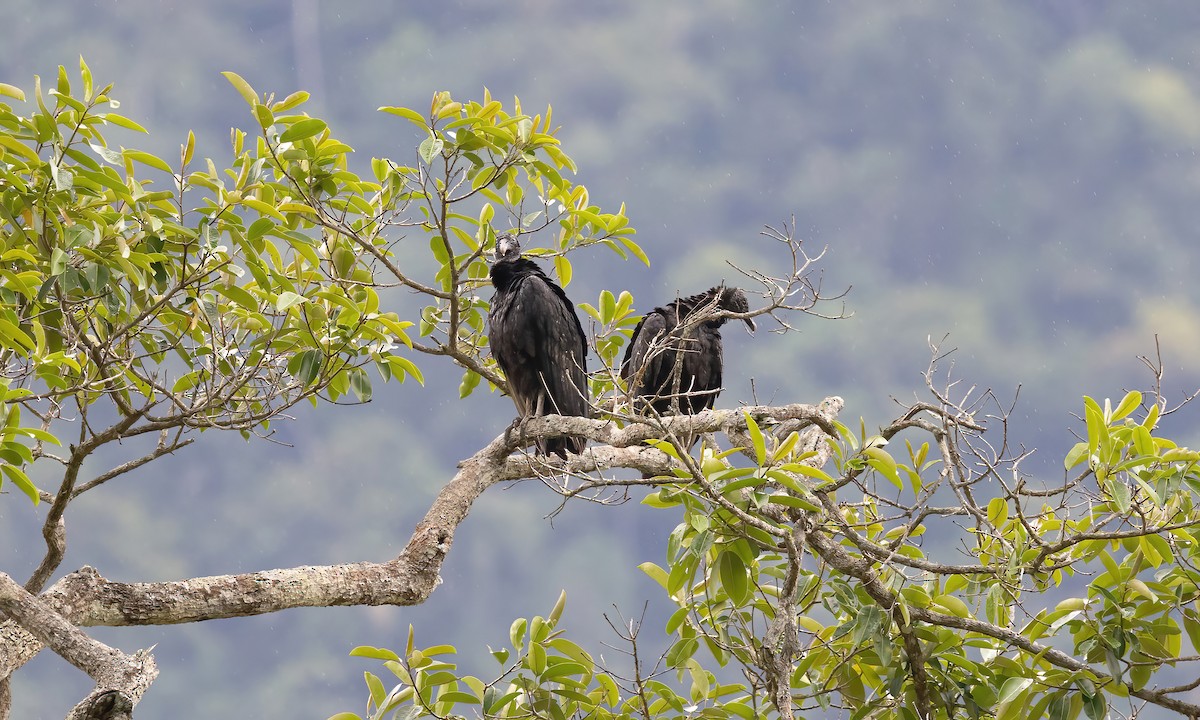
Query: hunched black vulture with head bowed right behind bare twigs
663	345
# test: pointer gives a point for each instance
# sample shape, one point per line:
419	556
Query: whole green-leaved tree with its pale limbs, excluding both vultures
154	299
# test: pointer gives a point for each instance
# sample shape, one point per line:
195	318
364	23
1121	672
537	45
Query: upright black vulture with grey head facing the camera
539	344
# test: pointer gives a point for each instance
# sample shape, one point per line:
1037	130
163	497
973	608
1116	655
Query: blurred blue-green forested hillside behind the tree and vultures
1023	177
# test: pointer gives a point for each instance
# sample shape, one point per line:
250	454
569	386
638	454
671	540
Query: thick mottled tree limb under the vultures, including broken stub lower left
87	599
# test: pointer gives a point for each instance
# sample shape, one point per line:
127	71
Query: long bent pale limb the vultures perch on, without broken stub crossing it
86	599
